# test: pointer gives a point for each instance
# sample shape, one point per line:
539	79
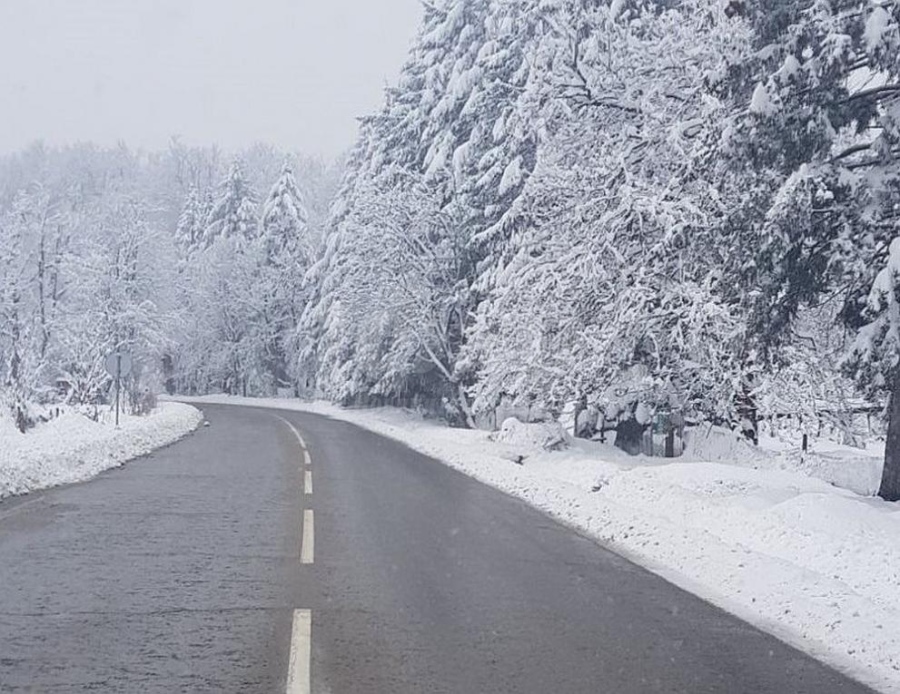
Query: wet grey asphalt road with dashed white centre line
191	571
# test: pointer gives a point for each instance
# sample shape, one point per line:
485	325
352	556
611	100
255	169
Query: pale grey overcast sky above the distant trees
295	73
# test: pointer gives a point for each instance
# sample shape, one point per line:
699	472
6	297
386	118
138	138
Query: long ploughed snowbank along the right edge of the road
812	563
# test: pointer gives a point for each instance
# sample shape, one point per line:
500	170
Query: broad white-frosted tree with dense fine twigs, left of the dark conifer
612	275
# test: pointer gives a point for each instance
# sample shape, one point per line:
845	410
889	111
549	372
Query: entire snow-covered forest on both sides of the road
632	208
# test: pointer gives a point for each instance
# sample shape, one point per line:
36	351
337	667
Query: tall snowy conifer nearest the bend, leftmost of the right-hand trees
408	153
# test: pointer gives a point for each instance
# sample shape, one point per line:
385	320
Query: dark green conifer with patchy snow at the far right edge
821	134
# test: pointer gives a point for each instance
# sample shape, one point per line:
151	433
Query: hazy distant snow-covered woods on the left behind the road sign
172	256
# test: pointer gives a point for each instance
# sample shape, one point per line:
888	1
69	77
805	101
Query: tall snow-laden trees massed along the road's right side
638	206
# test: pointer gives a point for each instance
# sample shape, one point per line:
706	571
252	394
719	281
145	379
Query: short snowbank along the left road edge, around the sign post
73	448
